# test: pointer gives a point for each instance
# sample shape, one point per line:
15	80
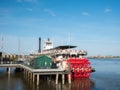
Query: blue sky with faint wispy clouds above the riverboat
91	25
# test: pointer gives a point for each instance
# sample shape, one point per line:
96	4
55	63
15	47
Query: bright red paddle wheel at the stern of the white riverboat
80	67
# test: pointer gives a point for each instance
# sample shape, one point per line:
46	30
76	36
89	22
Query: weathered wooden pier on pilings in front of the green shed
34	74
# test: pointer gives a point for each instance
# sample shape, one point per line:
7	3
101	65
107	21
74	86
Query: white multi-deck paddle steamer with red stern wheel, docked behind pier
68	58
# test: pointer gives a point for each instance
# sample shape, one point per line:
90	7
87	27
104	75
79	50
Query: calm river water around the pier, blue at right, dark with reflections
106	77
